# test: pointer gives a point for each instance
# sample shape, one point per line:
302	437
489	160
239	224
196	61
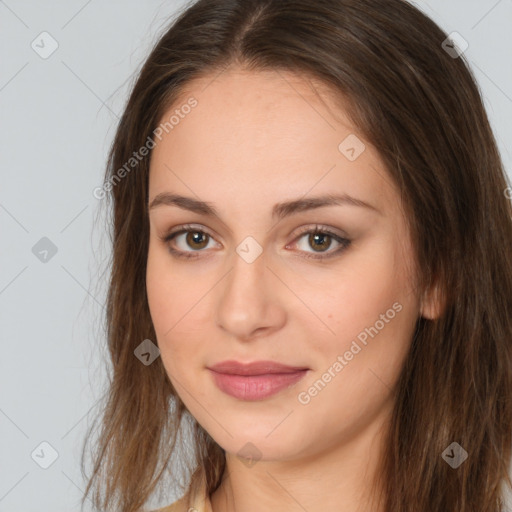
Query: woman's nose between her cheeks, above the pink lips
250	304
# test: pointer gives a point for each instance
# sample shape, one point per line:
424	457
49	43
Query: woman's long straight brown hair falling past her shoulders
422	110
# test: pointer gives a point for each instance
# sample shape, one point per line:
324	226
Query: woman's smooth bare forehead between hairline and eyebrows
275	132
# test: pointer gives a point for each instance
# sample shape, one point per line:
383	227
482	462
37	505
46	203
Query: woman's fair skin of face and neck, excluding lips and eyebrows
256	139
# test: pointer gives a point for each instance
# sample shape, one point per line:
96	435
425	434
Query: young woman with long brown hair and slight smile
311	268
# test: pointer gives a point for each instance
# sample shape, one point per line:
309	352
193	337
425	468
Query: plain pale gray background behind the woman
58	116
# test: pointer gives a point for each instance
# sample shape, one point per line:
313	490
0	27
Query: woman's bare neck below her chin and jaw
338	478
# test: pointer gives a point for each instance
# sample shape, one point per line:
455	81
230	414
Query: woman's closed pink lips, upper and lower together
255	381
